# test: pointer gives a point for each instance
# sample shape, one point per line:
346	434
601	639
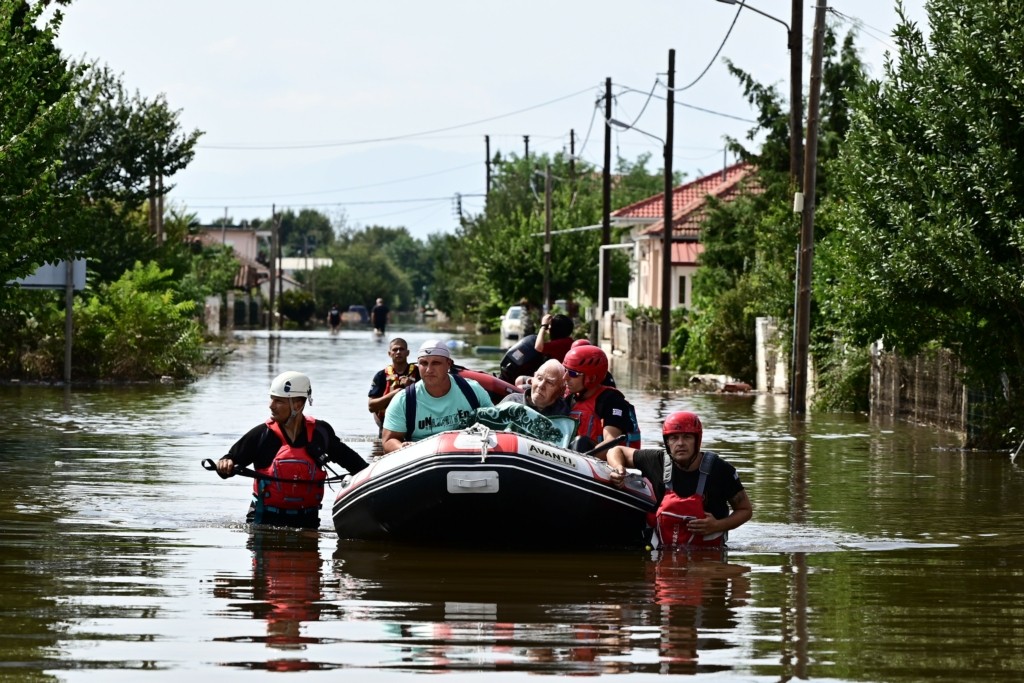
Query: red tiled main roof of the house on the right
689	203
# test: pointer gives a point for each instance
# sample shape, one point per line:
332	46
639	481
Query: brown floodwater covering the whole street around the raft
879	551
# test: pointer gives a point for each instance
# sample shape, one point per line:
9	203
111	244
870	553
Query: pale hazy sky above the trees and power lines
378	111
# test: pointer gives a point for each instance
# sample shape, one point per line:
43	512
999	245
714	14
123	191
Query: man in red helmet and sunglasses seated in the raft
603	411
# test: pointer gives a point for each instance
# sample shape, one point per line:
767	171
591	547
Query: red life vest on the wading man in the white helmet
292	463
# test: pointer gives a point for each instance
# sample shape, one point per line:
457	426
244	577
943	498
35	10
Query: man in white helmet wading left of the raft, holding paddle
289	453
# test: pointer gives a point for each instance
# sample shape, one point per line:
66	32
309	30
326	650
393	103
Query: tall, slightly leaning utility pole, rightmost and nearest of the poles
803	314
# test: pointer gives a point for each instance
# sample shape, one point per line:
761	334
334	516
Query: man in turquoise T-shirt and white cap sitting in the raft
440	402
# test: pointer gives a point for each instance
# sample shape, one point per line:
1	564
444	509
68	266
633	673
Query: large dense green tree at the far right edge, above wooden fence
927	248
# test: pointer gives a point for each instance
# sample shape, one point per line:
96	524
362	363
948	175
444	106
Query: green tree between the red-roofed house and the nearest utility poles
749	266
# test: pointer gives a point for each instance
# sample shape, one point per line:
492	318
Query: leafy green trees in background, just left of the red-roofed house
498	258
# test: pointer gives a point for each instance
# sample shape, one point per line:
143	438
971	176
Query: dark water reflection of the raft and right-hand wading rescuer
549	613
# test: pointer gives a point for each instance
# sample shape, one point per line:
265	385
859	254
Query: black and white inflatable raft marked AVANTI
482	487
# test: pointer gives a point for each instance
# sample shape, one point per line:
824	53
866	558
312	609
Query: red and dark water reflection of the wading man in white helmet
285	591
